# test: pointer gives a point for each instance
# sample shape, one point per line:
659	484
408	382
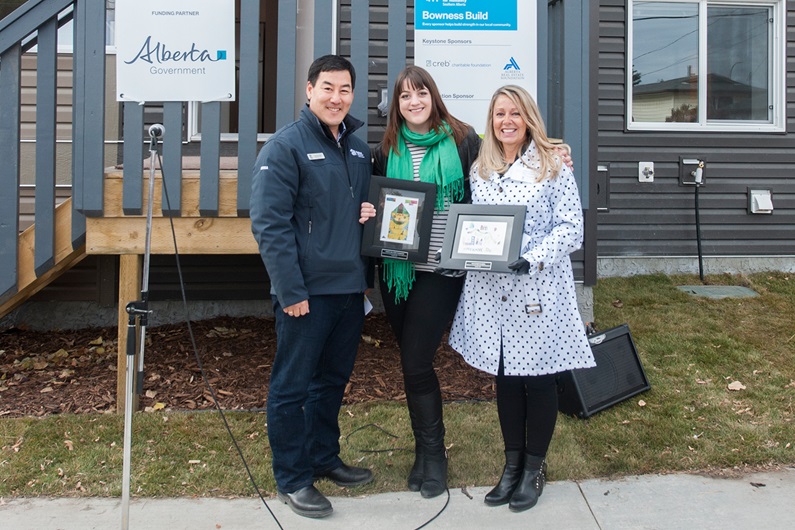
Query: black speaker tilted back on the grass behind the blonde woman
618	375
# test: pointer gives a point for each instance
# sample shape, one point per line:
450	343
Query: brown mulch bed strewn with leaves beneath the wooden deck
44	373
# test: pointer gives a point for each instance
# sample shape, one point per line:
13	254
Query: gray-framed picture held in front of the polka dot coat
482	237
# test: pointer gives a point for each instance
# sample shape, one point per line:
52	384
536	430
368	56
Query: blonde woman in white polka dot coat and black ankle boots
524	327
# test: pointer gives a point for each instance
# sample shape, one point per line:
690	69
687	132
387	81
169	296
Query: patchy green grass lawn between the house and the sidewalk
722	376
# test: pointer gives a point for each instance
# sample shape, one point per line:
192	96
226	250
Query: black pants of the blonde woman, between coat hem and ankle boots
528	410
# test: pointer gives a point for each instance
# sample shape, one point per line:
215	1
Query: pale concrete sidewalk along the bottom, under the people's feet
648	502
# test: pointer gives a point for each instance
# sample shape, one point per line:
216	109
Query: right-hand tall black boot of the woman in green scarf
429	433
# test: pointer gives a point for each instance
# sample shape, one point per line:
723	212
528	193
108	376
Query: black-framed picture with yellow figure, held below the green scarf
401	228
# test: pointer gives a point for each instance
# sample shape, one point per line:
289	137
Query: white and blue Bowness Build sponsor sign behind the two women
473	47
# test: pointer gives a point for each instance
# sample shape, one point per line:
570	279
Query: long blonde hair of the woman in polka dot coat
491	157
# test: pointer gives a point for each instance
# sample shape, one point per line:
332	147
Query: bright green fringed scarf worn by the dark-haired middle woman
441	165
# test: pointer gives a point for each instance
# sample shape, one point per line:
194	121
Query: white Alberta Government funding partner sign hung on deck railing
175	50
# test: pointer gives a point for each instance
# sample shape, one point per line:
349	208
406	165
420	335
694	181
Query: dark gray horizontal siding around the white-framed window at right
658	219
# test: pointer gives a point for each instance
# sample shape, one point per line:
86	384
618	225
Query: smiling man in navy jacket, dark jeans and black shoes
309	181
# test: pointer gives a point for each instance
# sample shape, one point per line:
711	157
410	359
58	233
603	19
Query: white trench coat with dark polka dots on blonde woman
493	309
